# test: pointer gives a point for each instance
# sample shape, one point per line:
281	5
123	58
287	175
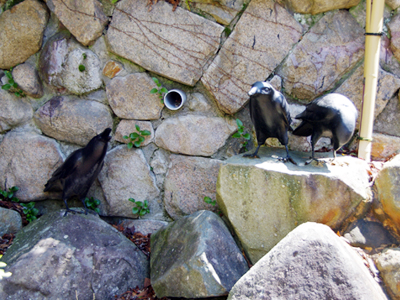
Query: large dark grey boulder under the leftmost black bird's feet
74	257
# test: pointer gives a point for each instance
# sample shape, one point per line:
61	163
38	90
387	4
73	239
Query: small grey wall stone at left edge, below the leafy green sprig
13	110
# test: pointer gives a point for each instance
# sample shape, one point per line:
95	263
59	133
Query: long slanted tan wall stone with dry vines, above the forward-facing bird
258	44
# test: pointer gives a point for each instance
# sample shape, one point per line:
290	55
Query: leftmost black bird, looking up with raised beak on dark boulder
75	176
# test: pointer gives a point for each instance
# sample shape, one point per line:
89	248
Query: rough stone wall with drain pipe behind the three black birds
86	65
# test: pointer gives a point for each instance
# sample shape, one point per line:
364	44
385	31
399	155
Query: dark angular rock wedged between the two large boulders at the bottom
195	257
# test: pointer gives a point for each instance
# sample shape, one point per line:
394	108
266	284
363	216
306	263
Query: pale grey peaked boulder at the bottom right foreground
311	262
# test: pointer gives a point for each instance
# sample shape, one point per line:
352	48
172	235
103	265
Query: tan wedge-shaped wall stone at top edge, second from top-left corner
84	19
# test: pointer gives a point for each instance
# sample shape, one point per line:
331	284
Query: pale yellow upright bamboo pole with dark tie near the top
373	28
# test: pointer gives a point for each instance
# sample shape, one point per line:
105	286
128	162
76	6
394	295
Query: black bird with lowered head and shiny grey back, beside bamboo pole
333	116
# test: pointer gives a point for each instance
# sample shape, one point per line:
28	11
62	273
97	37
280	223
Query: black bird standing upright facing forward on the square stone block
270	115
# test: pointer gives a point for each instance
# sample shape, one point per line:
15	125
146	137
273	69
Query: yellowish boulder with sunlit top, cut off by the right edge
386	206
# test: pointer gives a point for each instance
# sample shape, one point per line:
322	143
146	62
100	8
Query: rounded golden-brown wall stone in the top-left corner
21	32
